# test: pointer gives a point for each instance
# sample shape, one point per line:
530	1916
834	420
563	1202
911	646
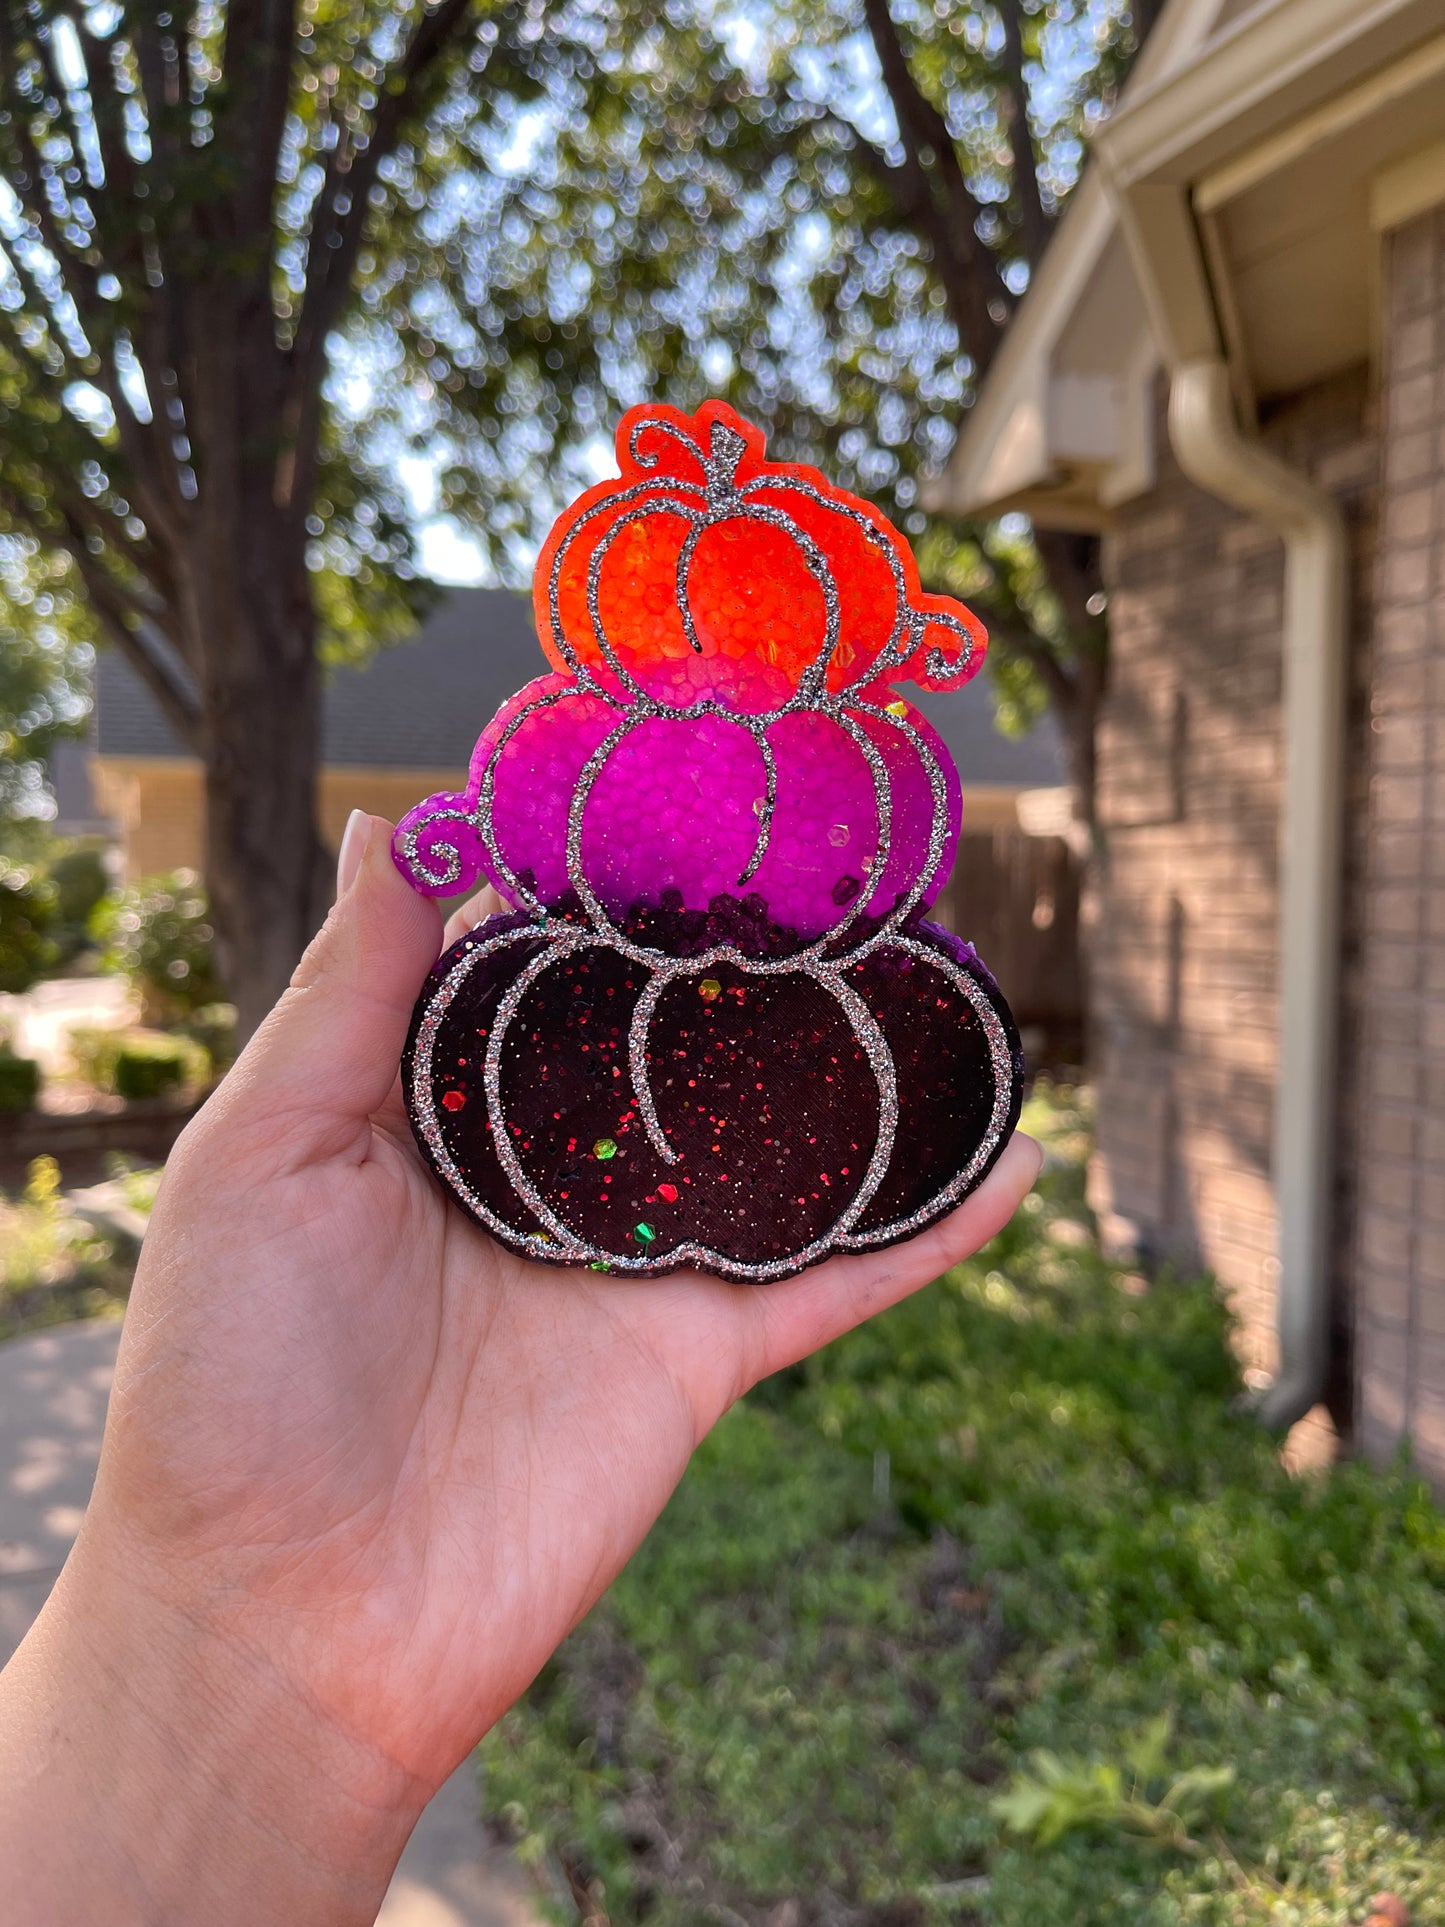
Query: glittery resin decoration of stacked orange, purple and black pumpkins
716	1028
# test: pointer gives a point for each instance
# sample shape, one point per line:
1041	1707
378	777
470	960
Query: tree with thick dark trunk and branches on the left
186	203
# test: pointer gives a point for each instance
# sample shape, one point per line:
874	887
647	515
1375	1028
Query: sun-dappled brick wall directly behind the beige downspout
1184	912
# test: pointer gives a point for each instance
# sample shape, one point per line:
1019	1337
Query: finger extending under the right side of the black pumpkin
795	1317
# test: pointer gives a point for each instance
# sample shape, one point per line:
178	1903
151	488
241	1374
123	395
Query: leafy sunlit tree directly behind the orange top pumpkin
829	219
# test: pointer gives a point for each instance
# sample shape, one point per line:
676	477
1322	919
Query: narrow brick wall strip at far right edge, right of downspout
1402	1227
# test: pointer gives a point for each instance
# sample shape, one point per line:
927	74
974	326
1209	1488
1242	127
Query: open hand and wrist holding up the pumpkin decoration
363	1471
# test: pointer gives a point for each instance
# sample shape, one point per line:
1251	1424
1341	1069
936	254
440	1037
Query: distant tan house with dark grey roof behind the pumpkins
406	726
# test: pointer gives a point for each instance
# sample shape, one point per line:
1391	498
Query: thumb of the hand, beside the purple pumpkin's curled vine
327	1057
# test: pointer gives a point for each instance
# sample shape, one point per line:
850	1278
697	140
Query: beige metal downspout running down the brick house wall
1222	460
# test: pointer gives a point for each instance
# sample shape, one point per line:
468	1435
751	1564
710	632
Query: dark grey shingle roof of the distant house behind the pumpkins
423	704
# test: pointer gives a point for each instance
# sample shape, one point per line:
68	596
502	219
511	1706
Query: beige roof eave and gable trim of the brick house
1298	132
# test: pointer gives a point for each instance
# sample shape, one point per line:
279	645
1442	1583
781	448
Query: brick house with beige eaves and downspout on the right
1232	363
